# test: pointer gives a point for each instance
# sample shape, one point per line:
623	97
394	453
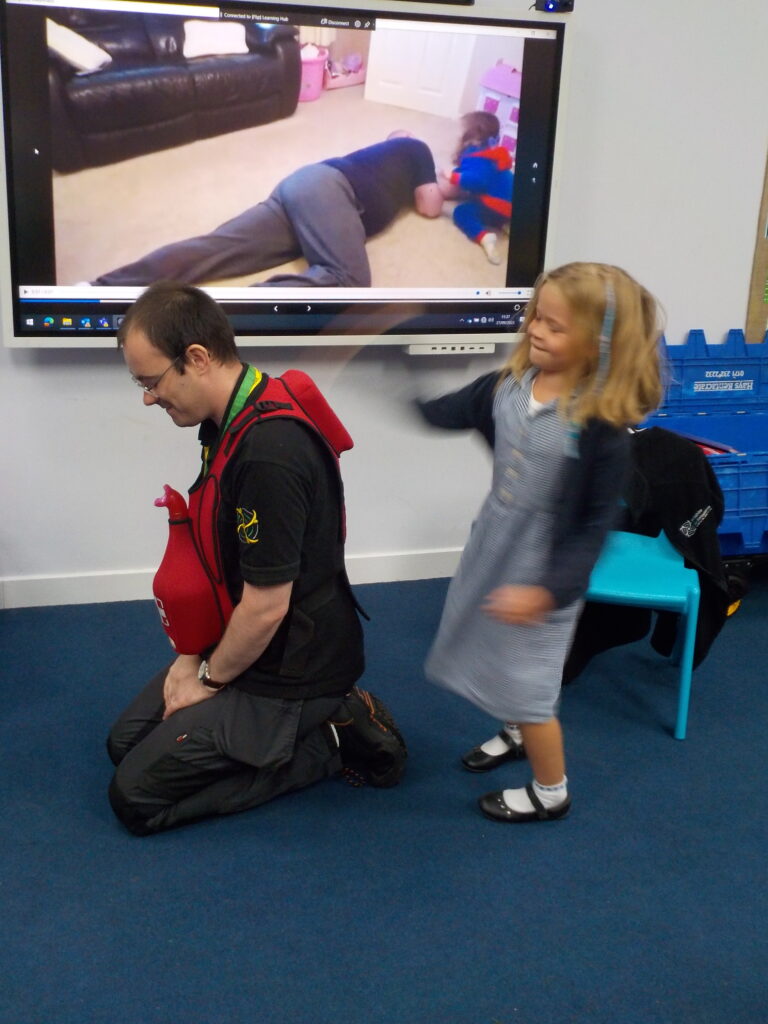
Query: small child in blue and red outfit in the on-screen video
483	179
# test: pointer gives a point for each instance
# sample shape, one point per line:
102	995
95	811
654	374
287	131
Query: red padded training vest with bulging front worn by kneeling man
190	588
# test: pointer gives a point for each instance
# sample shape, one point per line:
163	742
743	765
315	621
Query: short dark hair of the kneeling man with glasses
175	316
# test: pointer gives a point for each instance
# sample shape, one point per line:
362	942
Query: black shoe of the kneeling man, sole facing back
370	743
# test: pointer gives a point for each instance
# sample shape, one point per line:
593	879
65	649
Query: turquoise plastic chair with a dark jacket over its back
649	573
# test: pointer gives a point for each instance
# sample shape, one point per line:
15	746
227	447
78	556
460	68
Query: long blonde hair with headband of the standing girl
627	385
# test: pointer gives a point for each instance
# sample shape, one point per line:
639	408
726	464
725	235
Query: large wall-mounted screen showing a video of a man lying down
286	159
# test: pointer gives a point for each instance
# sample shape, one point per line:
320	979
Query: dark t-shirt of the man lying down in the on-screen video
385	178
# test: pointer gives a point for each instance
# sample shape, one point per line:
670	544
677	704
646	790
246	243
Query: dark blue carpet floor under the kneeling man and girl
336	906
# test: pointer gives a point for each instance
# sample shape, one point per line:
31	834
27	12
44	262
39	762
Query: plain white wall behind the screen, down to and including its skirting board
661	172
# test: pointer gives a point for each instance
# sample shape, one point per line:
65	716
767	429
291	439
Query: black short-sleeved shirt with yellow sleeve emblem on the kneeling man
280	522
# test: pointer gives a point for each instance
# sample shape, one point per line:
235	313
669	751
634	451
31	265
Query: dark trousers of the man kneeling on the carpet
227	754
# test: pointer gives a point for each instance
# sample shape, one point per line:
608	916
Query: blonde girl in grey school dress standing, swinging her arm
557	417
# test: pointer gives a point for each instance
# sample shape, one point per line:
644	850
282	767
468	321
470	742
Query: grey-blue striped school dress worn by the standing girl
513	672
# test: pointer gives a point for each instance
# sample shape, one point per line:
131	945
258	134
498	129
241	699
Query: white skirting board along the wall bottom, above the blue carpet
136	585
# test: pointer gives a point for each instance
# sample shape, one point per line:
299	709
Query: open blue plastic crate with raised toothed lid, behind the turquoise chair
719	394
